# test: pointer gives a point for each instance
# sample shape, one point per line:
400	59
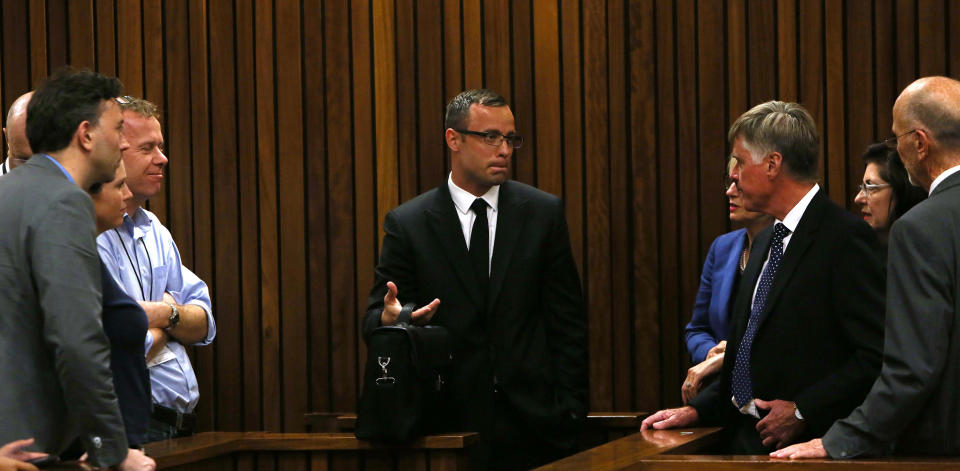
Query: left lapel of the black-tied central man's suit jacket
446	228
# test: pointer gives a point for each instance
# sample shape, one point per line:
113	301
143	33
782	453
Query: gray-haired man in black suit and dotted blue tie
808	318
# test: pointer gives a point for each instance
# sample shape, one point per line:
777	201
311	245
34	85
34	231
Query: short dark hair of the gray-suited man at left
65	100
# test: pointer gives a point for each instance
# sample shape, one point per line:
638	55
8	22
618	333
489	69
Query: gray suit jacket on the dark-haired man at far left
55	372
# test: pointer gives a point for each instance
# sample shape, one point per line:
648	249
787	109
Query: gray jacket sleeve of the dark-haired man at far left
66	272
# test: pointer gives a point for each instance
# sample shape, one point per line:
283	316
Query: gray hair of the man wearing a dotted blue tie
784	127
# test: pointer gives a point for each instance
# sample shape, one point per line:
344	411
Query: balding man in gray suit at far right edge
913	407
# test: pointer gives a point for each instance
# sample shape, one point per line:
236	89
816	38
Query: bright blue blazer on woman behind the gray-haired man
711	311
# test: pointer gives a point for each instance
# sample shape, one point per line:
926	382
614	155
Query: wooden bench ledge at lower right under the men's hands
681	450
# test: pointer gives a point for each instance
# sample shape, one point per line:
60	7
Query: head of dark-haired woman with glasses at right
886	192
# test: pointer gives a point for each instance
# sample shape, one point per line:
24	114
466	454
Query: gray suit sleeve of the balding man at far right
919	321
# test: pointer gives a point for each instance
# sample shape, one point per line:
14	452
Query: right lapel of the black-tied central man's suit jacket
511	216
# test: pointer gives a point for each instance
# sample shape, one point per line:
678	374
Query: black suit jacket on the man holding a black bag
532	337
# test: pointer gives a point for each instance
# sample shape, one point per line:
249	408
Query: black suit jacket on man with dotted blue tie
819	339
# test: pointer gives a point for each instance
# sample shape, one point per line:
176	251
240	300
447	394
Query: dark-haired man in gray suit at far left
57	384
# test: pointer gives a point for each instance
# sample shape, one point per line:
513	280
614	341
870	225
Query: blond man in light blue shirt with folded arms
143	258
